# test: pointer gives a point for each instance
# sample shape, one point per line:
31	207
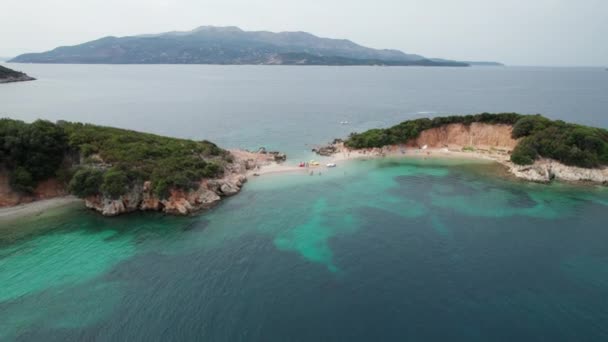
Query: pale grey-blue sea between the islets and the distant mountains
292	108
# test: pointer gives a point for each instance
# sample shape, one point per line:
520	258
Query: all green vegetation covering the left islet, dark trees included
114	160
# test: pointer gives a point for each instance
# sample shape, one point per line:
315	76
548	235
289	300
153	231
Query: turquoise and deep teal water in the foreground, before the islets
372	250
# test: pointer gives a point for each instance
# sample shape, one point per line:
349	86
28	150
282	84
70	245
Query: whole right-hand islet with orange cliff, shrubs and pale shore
532	147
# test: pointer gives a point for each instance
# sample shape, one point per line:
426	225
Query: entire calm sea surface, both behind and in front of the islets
384	250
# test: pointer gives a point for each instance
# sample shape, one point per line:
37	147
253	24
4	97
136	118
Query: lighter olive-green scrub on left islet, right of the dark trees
134	156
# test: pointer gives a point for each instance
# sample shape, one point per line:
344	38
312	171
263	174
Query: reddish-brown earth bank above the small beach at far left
47	189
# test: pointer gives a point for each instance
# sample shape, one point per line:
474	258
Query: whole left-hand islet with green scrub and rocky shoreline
118	171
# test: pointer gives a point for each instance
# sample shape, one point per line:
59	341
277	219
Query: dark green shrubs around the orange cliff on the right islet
567	143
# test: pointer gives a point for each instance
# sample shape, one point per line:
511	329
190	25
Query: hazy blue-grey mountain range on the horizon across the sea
228	45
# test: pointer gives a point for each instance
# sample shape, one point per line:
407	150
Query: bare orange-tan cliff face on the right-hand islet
478	135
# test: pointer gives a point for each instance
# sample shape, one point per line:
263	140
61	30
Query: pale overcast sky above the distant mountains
516	32
